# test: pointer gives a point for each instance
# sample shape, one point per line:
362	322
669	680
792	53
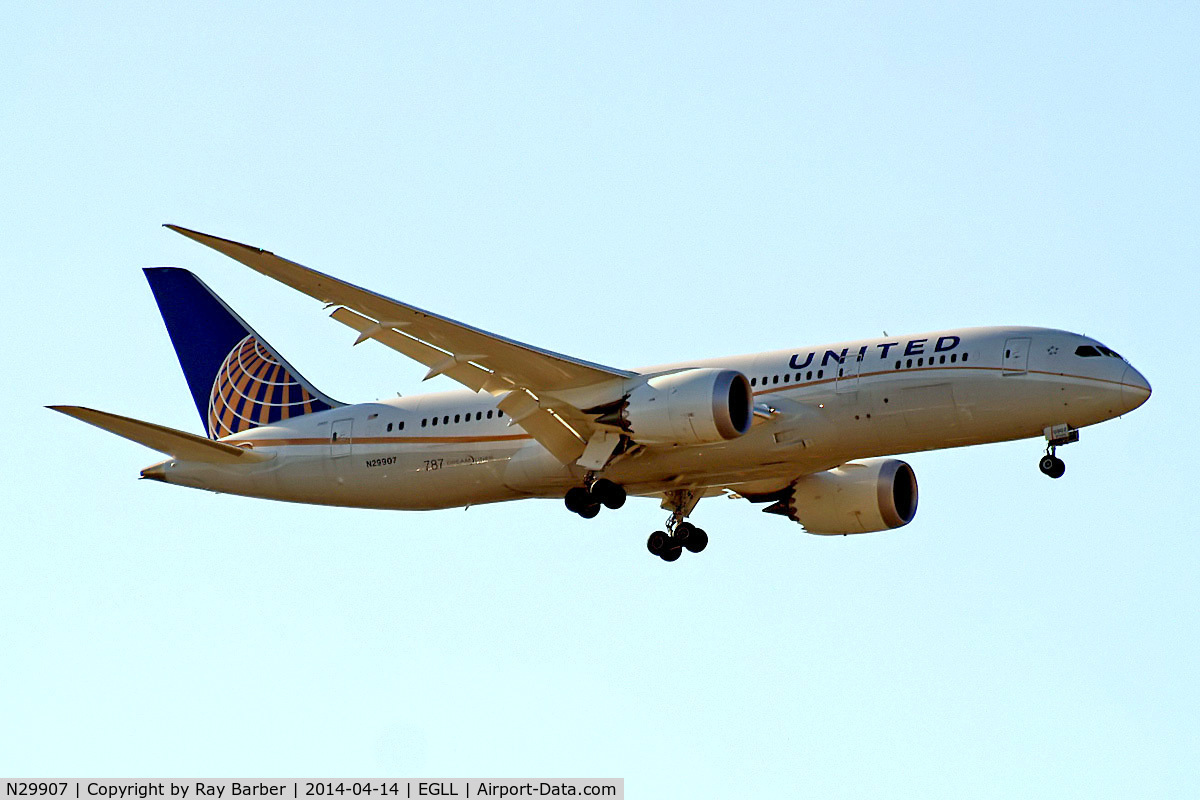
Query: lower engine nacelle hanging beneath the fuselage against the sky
860	497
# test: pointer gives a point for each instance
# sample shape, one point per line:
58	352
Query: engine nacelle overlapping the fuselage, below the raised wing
691	407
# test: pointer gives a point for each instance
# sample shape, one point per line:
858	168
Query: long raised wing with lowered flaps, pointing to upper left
479	360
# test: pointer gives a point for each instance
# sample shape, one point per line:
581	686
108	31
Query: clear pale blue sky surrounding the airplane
629	184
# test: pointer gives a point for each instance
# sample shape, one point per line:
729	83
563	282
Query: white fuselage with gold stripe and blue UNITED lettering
817	408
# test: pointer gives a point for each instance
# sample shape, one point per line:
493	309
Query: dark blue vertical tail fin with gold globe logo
238	381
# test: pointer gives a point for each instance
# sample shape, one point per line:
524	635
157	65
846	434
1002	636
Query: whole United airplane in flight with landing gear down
807	434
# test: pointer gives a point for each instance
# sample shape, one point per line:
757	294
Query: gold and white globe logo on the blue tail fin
253	389
